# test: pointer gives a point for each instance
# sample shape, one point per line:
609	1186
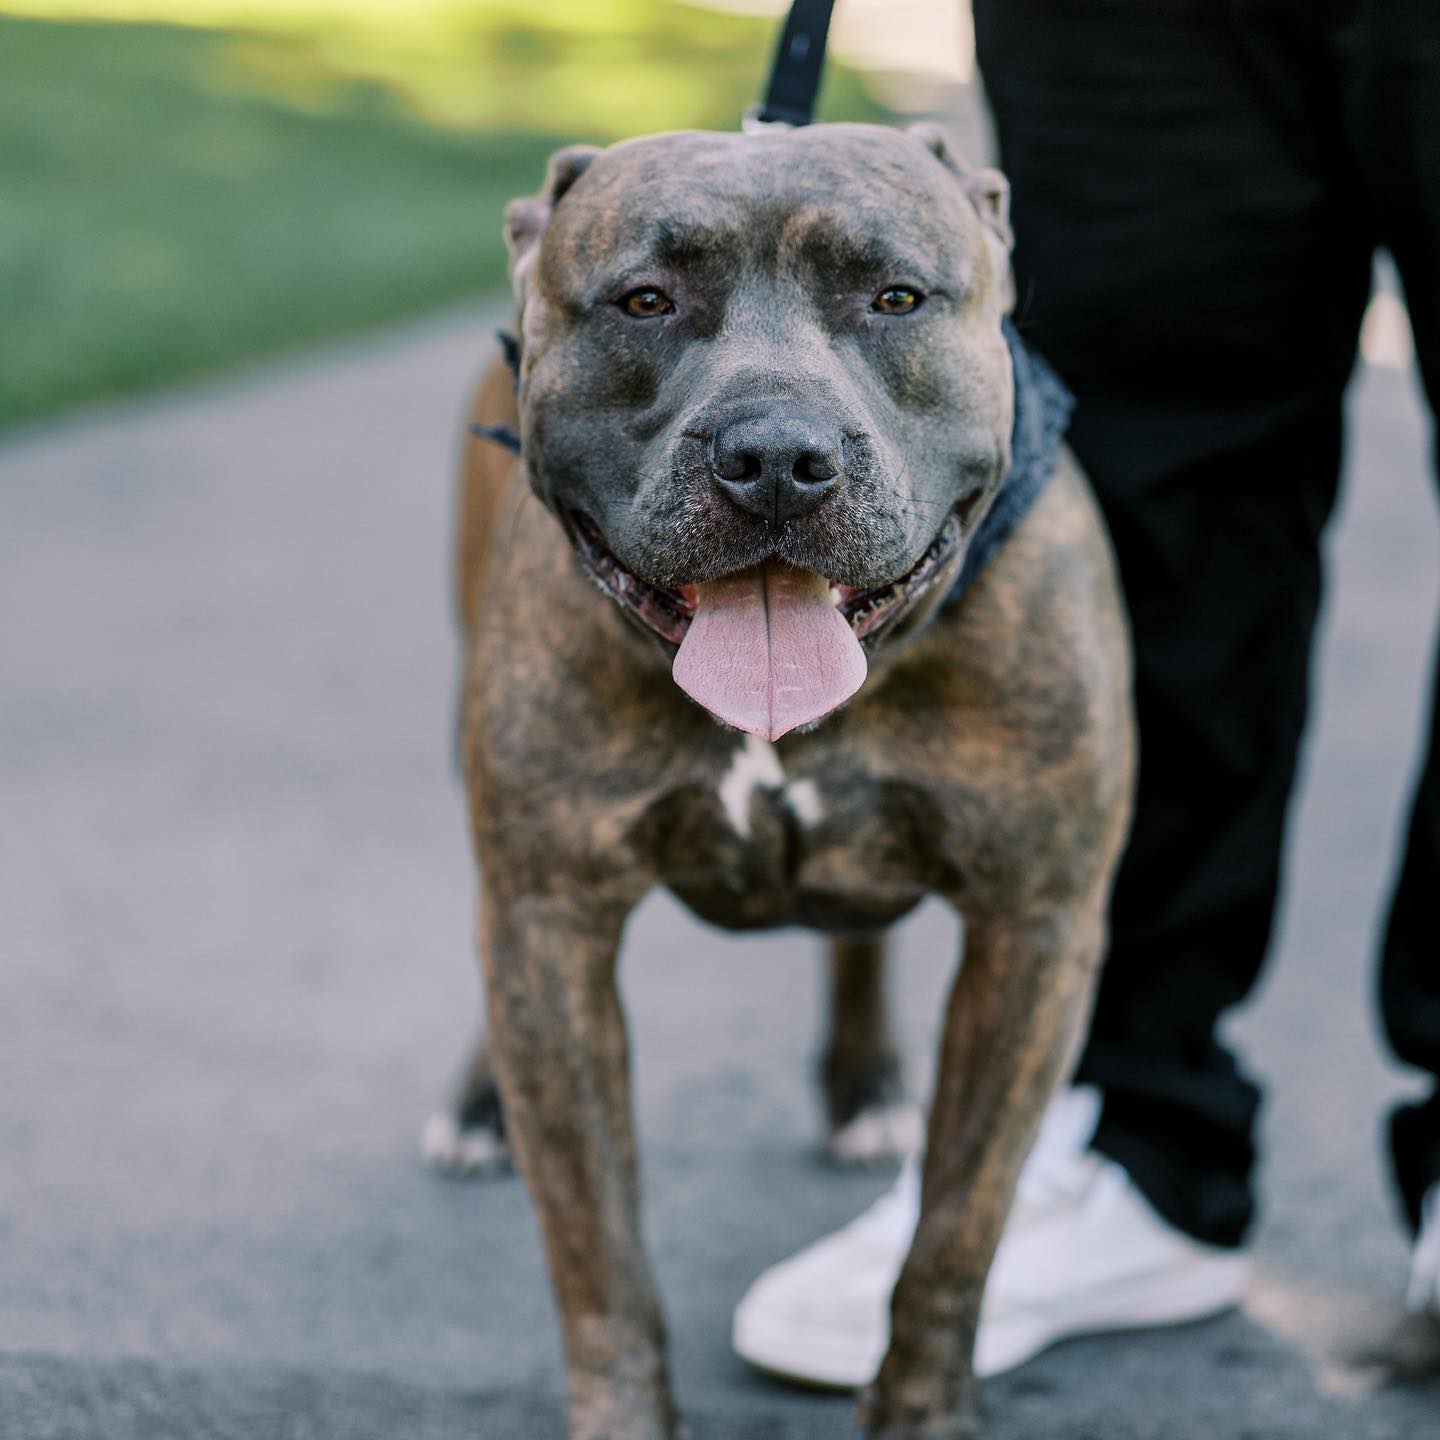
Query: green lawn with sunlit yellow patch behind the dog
176	199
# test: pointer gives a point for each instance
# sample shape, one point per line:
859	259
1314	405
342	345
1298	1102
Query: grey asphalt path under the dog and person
237	976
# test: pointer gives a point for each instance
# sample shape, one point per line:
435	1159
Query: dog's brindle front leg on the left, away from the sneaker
561	1049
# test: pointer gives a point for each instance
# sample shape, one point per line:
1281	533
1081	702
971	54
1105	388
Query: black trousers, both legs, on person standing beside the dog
1199	191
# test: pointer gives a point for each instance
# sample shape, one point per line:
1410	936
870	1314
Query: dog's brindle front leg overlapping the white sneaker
1014	1017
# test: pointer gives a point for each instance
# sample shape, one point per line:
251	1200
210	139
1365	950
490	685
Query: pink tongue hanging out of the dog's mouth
768	650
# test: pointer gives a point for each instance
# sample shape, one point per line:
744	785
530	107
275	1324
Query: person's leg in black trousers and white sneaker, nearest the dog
1192	258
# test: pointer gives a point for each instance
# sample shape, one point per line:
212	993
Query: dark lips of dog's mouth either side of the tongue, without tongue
669	613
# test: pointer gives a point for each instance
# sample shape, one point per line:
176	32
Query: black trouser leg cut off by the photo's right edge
1390	57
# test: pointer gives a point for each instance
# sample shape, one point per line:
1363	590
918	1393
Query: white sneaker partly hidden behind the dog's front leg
1082	1254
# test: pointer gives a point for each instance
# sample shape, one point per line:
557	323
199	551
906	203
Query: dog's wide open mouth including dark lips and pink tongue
771	647
